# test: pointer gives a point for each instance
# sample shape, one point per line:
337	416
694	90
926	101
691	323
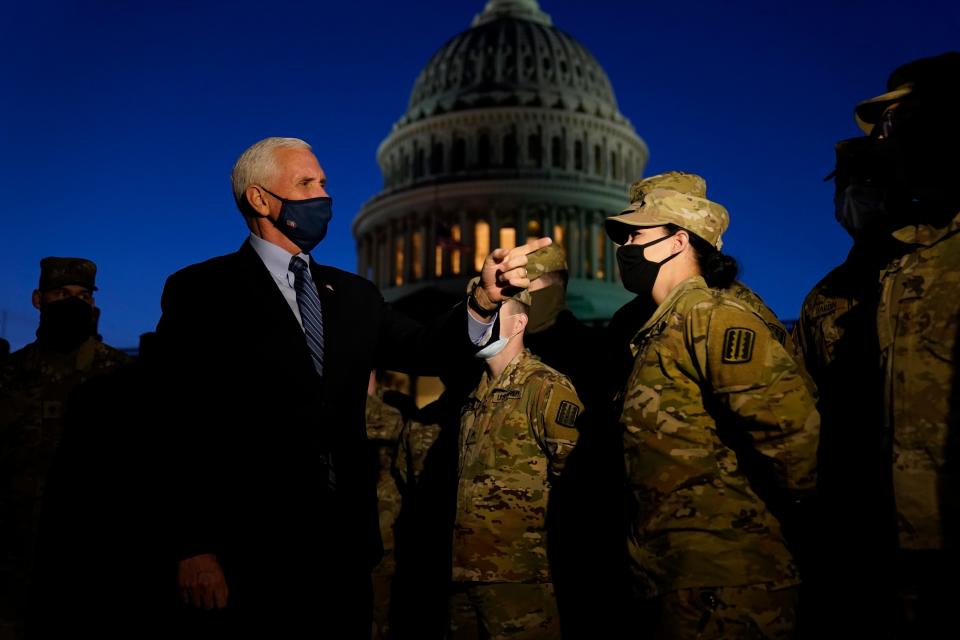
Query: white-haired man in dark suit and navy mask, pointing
274	512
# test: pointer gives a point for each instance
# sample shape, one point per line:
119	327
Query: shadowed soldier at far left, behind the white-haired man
34	385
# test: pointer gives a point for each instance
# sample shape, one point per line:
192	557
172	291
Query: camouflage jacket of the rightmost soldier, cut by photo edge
917	326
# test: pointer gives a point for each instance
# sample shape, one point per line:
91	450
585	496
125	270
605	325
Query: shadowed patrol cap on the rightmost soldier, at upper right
937	76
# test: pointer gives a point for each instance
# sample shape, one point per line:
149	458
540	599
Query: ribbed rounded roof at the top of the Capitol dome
512	56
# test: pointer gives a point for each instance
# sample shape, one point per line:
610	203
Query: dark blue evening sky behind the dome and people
120	121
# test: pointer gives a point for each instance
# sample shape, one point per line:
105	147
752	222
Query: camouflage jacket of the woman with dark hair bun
713	398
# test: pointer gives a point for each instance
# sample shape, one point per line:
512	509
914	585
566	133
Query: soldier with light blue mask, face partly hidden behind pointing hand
517	430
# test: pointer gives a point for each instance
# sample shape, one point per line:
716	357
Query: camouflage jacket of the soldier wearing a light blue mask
516	433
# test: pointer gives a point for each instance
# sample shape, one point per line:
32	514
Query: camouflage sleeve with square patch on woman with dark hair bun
764	400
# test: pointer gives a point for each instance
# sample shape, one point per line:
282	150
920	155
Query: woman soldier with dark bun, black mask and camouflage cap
720	434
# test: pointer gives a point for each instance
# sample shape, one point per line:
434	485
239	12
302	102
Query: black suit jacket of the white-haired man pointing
251	422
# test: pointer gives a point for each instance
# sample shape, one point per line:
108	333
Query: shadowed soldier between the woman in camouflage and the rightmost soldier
835	337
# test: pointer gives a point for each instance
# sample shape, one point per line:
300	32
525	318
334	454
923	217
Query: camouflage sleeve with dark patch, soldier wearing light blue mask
554	416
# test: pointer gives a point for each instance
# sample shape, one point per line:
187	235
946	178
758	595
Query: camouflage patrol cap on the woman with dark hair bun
699	216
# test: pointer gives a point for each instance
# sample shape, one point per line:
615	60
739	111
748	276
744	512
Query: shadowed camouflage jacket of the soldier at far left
34	387
